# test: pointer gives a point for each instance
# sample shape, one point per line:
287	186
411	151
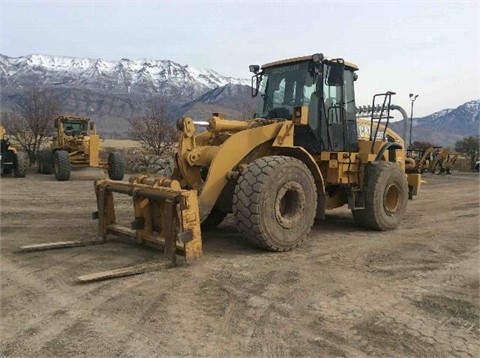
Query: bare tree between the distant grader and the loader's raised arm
154	130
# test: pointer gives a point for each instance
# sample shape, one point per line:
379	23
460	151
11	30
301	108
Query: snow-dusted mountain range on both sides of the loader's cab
111	92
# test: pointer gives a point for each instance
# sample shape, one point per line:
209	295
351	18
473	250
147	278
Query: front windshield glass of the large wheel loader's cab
284	87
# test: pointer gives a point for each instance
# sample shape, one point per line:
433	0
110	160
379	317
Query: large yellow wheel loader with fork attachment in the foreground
303	153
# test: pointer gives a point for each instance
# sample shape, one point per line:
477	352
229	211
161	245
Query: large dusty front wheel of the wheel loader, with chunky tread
275	202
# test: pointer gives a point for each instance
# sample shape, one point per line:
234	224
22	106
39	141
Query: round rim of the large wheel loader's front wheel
289	204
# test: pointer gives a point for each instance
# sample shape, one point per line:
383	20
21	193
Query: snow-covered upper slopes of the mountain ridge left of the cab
163	77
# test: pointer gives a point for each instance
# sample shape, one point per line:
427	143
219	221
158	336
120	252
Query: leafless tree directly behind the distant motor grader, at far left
33	124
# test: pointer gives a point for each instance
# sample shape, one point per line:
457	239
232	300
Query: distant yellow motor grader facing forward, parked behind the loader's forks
77	145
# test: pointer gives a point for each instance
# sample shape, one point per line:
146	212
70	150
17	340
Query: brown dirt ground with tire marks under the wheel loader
412	292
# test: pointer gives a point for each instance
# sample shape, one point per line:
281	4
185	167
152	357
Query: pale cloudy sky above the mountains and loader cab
429	48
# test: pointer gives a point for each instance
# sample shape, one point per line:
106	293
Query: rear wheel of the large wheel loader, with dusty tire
386	196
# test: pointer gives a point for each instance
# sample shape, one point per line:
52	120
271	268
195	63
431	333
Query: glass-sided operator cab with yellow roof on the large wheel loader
324	87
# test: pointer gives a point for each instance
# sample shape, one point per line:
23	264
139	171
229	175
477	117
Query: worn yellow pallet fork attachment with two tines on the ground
165	216
